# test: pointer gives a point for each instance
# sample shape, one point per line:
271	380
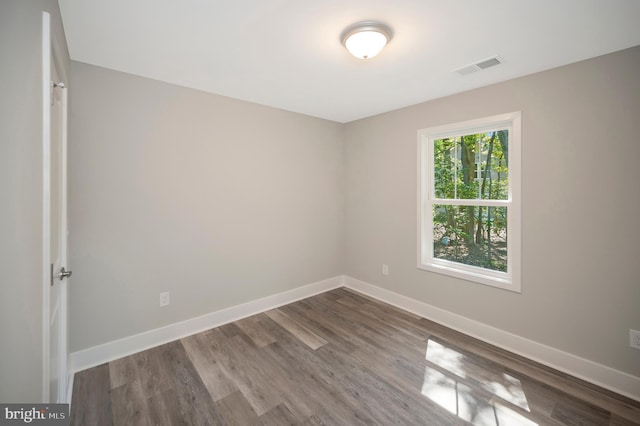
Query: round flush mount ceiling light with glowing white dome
365	40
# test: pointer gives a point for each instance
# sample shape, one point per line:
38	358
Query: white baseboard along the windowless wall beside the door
96	355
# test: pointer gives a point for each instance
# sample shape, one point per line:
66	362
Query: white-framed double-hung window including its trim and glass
469	200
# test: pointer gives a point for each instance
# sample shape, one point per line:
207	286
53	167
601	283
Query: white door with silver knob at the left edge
55	309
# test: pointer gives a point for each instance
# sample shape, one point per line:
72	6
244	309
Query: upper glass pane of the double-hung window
472	166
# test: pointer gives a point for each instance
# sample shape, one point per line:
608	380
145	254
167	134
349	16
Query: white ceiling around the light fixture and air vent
288	54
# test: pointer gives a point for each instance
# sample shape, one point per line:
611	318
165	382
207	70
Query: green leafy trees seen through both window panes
471	167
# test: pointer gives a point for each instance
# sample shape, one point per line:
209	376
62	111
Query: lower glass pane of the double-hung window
471	235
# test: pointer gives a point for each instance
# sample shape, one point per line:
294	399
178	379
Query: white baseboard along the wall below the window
598	374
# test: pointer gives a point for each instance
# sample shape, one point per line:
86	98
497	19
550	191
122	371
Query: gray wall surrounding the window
581	201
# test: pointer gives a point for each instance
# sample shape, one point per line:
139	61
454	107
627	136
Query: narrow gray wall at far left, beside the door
21	193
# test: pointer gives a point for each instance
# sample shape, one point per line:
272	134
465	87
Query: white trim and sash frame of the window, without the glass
510	280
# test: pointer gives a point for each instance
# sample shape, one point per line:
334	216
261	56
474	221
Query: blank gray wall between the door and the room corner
216	200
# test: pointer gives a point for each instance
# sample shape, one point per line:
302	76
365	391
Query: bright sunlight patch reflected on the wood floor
471	391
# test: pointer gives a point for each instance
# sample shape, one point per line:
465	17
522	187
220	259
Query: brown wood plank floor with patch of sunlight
338	358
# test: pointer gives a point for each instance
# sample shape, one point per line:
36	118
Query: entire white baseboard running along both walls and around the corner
601	375
